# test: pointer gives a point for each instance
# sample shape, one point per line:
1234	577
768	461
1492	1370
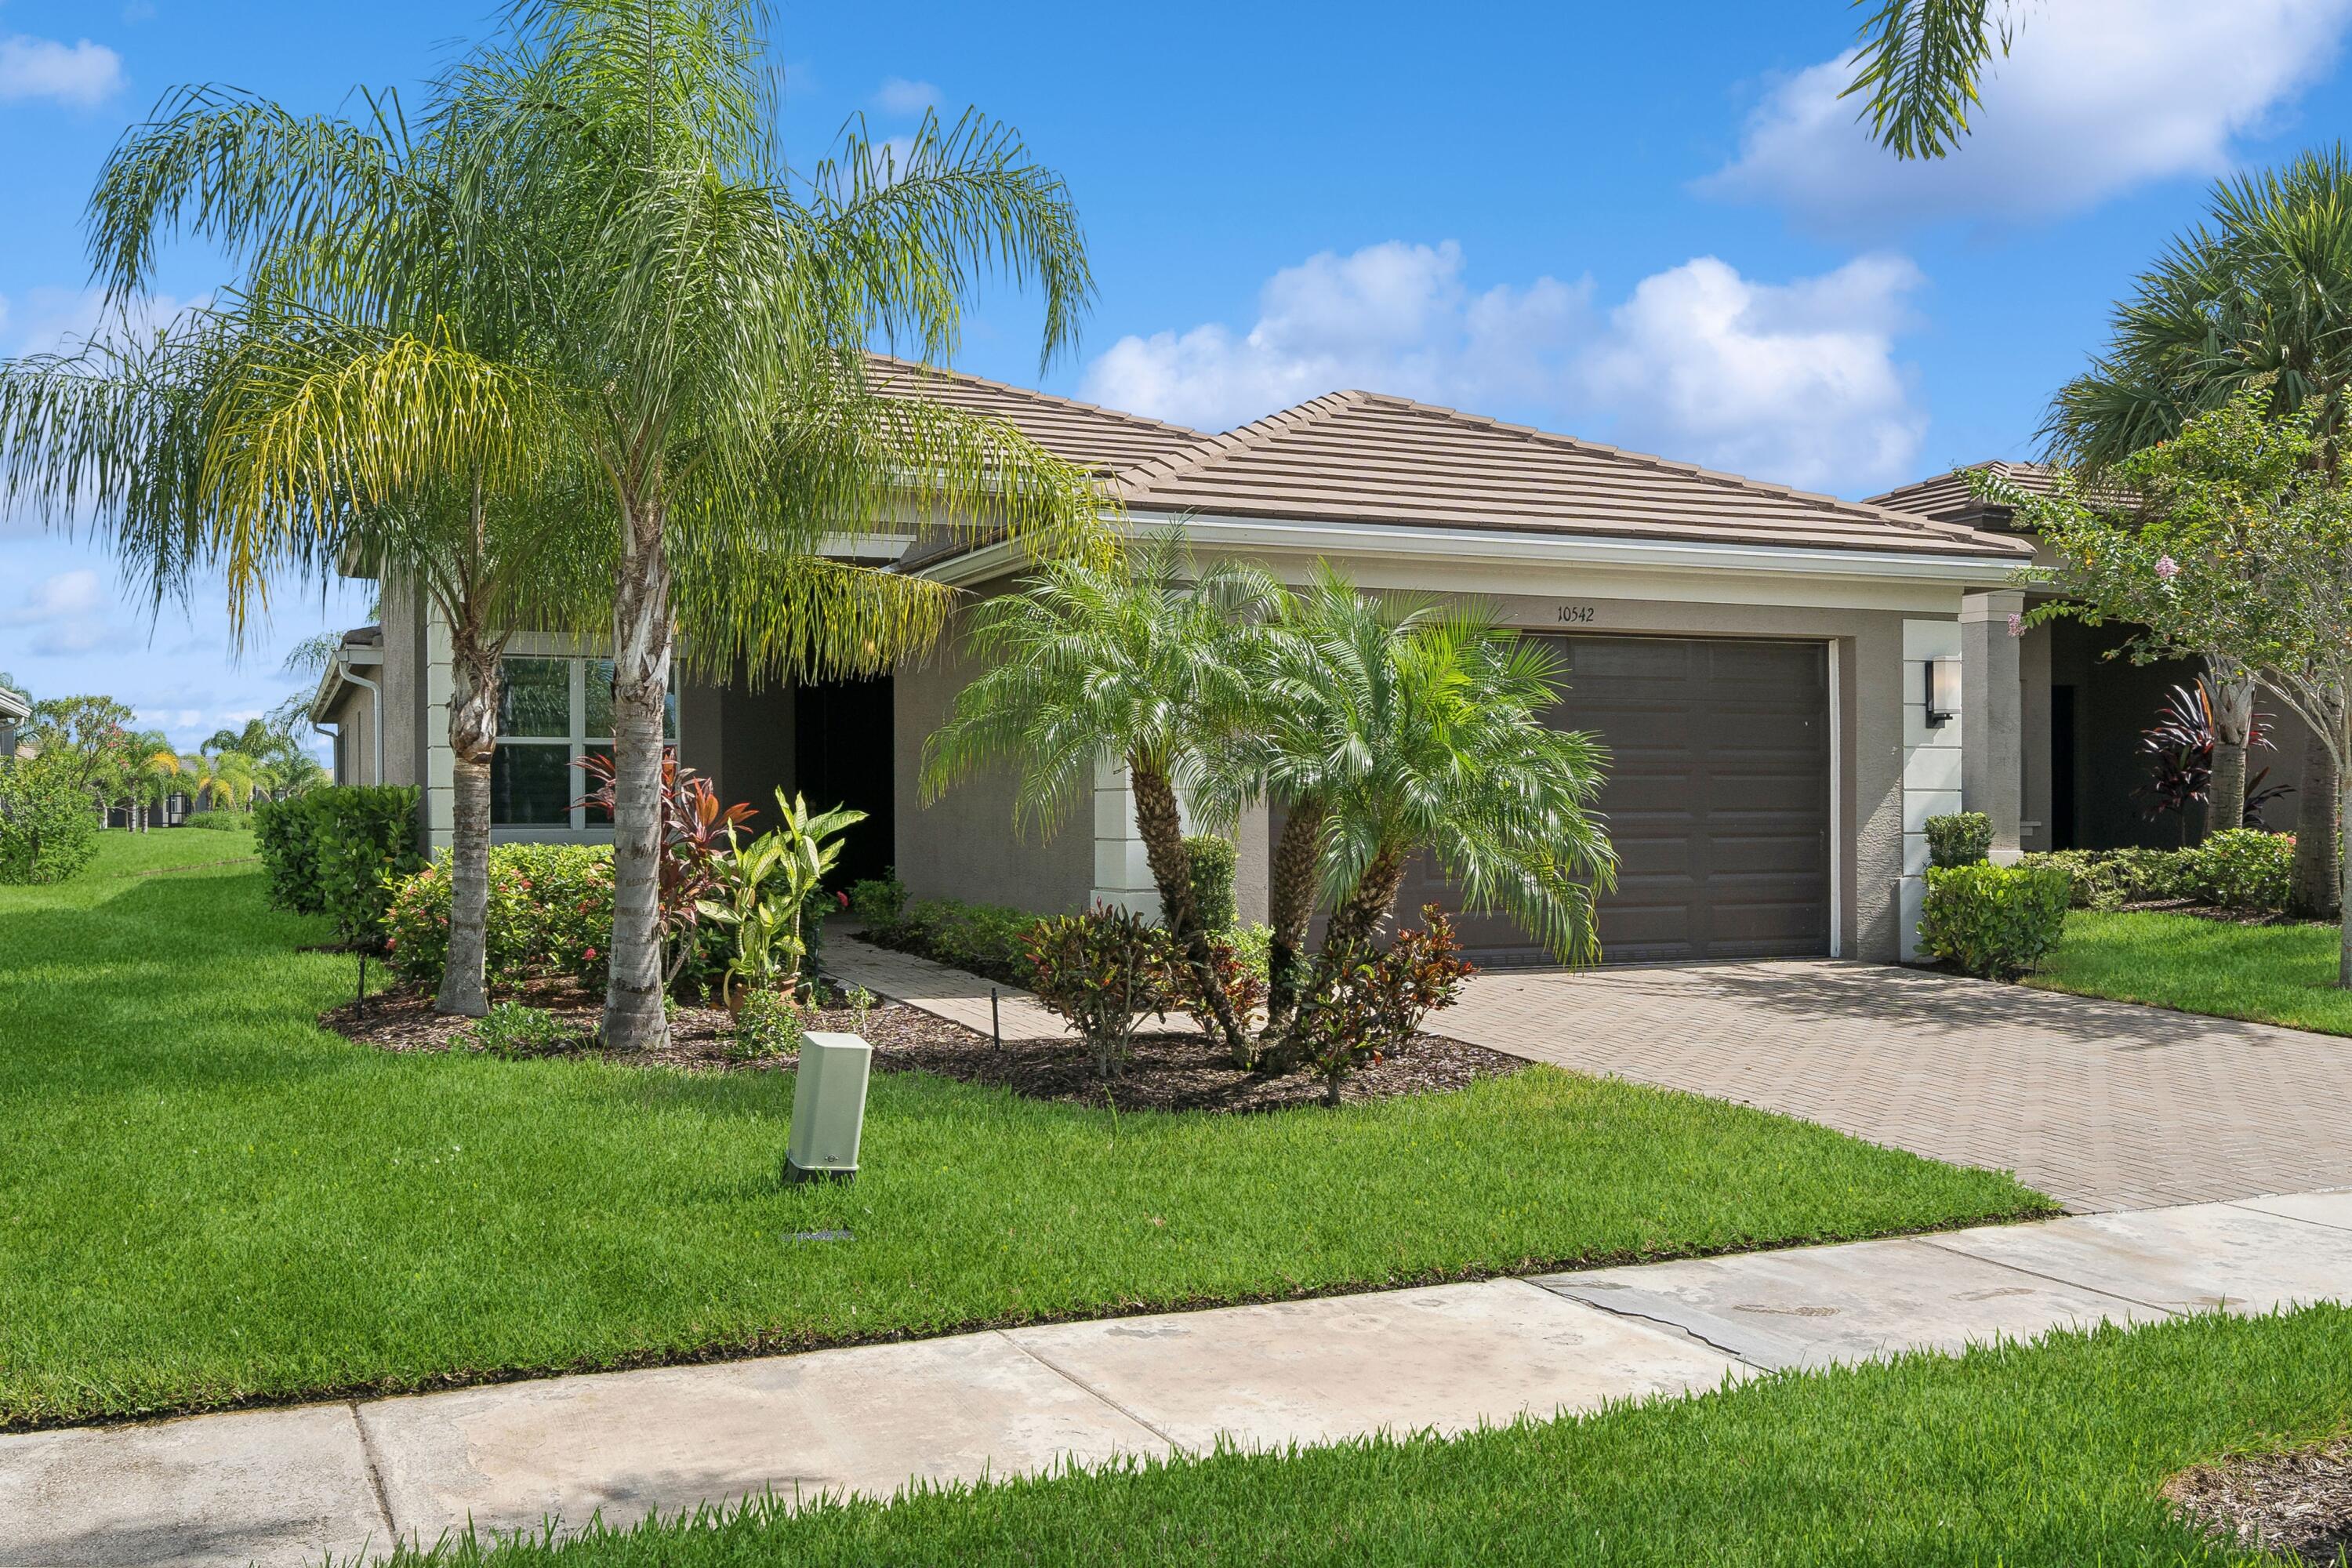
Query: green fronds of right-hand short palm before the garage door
1396	728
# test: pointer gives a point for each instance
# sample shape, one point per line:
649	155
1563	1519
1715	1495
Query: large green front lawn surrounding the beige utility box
208	1200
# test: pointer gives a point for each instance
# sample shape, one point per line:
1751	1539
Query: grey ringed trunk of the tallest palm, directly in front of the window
641	683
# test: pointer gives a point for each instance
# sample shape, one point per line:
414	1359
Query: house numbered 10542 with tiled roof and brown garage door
1760	662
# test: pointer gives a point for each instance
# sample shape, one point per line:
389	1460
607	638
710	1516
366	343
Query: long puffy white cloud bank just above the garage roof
1791	382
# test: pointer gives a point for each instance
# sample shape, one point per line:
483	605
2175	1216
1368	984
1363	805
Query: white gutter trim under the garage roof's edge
1521	549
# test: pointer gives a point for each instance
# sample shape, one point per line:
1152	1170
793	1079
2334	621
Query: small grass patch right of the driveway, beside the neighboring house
2269	974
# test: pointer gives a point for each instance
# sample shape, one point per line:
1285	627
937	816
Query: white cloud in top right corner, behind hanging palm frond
2097	98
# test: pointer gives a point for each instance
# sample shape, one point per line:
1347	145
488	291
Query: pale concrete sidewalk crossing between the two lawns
286	1487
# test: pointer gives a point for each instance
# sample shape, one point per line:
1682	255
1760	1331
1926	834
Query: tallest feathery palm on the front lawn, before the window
592	274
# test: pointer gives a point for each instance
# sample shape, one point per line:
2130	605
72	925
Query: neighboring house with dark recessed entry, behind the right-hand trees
2085	704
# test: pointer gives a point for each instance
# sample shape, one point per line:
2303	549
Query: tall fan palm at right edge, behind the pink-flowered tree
2259	297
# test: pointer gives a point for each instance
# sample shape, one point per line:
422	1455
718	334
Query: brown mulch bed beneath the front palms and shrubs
1170	1071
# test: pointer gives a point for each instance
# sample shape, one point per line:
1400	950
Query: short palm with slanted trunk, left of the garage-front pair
1125	659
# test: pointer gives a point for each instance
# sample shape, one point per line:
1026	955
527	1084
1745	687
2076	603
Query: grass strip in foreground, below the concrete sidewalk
2022	1456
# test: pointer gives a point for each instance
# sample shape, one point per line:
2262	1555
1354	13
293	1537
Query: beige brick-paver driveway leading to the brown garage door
2099	1104
